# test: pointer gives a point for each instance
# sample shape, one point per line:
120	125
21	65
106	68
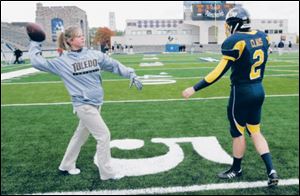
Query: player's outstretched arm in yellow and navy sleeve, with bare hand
211	78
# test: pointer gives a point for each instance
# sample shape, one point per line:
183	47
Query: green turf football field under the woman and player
37	124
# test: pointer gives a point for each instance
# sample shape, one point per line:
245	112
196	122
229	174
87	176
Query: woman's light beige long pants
90	122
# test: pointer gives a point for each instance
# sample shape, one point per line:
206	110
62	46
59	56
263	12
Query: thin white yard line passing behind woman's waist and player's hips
140	101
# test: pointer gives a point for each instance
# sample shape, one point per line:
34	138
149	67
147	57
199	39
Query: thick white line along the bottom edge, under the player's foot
179	189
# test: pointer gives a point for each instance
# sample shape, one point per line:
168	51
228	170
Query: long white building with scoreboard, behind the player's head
202	24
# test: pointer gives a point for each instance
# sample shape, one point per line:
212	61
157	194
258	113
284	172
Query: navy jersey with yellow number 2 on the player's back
249	52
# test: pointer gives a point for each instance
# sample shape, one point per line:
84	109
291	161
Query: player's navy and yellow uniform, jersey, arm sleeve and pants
246	53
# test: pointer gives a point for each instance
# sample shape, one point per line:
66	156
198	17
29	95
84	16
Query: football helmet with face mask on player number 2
237	19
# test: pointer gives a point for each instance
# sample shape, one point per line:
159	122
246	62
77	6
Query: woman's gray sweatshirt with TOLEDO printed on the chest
80	72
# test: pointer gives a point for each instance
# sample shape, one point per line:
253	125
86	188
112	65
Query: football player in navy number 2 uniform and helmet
245	51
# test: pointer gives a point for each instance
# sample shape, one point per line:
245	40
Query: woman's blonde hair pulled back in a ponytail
66	36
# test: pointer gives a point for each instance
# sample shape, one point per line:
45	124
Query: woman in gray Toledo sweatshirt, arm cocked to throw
79	68
